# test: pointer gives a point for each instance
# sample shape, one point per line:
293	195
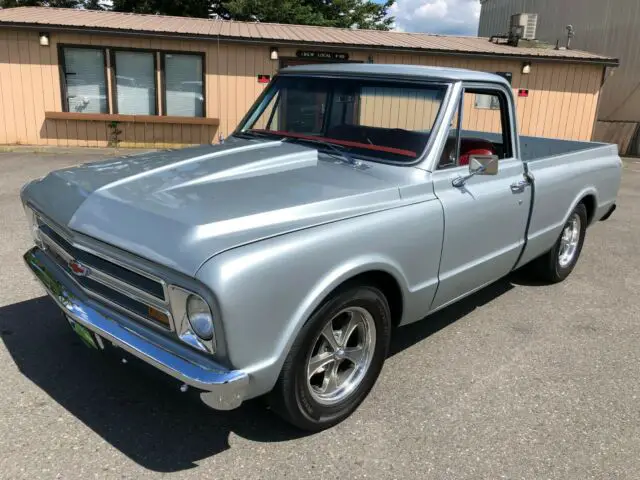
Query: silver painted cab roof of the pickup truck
439	73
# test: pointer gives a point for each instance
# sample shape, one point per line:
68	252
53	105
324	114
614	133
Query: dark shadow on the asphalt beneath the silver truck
140	413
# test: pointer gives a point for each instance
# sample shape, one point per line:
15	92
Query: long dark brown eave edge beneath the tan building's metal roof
609	62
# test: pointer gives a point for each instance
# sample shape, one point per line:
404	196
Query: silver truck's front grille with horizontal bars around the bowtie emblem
135	293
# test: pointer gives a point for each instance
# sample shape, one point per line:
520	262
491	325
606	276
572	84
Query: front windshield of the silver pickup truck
379	120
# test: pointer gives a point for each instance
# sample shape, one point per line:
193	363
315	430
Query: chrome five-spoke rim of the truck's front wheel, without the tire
341	355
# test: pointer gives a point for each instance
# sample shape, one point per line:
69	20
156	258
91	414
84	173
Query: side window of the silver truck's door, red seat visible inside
484	128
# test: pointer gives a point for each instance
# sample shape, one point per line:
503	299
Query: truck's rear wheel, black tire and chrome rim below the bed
558	263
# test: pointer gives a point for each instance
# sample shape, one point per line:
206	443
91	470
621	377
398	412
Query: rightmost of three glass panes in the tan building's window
183	85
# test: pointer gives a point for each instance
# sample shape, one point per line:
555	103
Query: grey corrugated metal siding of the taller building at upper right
607	27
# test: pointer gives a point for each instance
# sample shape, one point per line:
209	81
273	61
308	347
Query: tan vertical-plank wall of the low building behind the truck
562	98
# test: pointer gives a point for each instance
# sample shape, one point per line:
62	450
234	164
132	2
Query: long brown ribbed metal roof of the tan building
159	25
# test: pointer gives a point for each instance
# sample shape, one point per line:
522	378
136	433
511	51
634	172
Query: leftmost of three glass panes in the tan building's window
84	78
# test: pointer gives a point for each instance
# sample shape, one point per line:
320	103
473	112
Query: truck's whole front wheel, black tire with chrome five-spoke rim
335	359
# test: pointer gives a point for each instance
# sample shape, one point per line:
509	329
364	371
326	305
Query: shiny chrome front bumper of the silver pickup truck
222	389
